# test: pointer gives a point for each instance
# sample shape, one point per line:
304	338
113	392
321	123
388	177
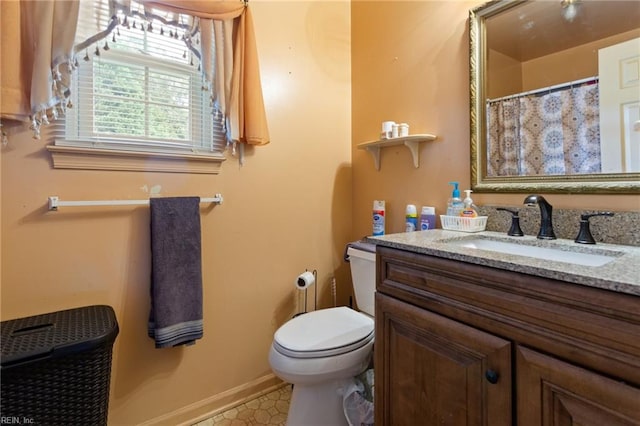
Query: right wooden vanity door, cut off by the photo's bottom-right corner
555	393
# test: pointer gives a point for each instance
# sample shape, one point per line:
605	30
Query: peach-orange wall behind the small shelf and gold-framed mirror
410	63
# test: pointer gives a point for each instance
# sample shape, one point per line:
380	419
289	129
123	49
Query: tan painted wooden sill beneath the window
65	157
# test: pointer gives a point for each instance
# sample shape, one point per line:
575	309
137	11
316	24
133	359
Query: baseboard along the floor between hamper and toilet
218	403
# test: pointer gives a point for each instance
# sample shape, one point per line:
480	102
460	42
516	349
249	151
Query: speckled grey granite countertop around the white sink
621	275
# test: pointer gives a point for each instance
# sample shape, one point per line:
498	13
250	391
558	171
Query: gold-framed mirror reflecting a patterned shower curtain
527	58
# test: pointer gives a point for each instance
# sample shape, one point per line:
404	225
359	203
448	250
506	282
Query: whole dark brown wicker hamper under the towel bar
56	367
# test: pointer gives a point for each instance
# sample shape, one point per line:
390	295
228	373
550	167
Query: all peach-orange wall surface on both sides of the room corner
329	83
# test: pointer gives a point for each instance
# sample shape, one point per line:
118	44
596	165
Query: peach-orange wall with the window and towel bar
288	209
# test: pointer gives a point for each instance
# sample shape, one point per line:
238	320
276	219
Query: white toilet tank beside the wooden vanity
362	257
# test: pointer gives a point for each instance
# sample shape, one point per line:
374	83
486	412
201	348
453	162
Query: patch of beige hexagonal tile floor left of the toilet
269	409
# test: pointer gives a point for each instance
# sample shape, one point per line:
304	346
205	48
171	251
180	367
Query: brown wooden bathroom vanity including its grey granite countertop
468	336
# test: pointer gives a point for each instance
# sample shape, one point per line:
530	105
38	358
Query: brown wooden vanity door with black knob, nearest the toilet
431	370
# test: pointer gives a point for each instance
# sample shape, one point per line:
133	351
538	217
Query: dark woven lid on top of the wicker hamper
56	334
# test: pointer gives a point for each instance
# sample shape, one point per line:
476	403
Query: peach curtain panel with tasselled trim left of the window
37	58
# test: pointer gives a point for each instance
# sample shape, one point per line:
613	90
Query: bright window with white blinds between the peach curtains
141	88
